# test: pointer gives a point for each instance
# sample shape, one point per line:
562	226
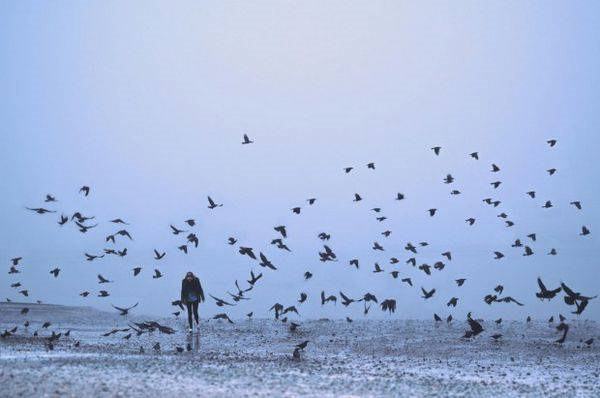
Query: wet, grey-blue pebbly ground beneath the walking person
254	358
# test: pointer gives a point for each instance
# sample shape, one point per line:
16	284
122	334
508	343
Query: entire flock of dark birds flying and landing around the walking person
190	241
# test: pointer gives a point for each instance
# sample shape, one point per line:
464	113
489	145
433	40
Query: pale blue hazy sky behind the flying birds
146	102
